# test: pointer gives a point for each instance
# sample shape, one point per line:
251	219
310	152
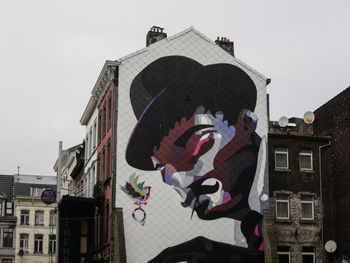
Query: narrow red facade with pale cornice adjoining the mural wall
105	92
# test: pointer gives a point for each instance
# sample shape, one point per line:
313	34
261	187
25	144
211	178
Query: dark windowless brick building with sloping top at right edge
333	119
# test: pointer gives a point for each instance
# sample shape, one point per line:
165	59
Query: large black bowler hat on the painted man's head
173	87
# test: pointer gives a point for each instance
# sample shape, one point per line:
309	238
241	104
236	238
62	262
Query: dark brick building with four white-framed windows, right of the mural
295	192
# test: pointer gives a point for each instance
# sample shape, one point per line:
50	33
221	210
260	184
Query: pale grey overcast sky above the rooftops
52	52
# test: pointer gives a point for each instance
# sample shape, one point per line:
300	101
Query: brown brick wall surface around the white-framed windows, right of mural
294	232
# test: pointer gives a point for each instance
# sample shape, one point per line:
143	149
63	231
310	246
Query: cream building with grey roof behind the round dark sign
36	221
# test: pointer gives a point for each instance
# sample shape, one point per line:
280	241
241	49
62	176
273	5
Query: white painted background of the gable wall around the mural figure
168	223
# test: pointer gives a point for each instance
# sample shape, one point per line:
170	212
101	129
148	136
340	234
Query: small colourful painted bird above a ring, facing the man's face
139	194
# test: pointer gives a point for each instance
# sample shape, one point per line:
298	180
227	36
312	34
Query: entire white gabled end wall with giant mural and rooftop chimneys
180	101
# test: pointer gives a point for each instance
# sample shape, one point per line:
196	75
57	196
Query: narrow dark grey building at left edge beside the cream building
7	220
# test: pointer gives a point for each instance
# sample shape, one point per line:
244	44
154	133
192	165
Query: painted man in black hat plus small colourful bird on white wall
196	125
